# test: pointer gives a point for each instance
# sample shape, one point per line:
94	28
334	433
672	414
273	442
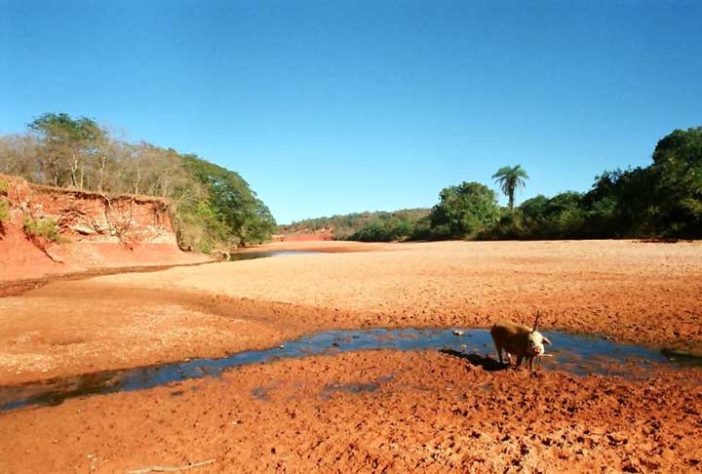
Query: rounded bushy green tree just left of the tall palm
464	210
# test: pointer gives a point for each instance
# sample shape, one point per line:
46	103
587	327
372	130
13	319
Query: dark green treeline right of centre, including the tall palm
662	200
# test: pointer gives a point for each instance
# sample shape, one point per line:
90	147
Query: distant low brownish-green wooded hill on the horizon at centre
365	226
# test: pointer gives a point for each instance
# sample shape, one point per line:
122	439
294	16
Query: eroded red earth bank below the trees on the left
94	230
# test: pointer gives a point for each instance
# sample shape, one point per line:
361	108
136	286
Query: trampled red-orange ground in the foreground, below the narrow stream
378	411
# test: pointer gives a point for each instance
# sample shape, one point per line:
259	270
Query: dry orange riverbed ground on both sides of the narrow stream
430	413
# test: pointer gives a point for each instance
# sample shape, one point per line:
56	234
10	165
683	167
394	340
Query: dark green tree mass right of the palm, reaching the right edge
662	200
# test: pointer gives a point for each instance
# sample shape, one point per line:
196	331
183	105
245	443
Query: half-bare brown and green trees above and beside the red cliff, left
212	207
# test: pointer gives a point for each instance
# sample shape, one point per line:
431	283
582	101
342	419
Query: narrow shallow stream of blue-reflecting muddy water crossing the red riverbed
582	355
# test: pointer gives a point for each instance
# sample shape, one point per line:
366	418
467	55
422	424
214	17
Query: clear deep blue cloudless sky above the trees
329	107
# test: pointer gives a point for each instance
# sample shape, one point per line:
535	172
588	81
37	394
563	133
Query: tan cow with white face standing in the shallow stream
519	340
